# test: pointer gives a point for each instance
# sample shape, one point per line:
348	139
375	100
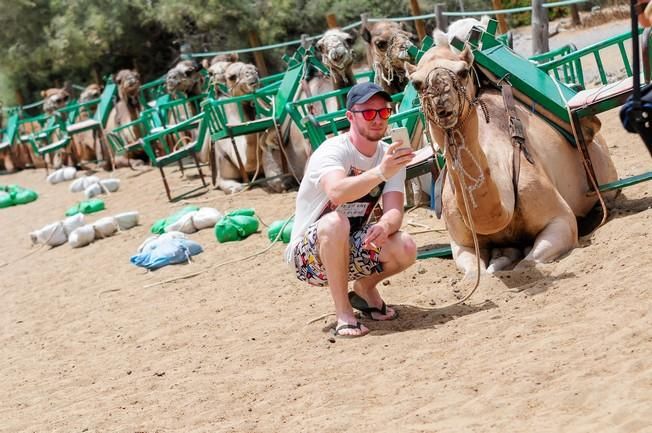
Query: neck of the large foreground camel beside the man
467	163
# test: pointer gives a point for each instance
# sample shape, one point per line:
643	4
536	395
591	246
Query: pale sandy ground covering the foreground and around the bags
86	347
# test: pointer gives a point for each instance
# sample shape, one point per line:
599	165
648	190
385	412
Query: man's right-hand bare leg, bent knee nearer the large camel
396	255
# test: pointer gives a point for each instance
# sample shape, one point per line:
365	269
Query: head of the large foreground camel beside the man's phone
445	84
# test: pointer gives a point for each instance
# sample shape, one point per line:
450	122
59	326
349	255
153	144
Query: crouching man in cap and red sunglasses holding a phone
335	237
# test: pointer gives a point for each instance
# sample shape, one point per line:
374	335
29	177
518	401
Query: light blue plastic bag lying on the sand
165	251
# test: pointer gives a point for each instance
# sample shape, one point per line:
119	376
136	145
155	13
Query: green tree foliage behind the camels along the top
46	42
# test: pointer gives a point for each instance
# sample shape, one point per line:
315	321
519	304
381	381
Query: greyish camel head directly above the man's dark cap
337	54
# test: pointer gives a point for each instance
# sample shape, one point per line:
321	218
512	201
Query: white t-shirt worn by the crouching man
336	153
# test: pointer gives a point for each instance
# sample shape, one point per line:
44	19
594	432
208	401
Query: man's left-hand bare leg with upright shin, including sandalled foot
333	237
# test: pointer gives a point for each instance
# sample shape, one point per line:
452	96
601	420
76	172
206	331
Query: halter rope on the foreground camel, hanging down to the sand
455	146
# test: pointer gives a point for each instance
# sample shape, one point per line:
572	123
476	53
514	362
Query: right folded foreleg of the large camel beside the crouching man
558	237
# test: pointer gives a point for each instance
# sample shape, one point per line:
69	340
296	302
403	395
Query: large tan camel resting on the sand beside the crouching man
540	216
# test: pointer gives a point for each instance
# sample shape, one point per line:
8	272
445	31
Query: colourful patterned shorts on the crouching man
309	268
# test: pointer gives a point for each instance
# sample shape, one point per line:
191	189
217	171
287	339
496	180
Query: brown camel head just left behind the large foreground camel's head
388	45
